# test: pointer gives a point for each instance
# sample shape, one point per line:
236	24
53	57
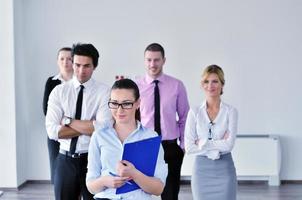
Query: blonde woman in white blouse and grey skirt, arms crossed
210	134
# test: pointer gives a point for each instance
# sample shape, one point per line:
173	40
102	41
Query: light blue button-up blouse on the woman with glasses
105	151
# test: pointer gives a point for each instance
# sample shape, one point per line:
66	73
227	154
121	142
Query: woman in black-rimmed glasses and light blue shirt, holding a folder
106	170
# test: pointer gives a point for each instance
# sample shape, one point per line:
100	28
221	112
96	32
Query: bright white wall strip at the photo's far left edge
8	160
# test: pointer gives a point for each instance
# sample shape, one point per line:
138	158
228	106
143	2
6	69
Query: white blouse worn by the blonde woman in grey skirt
199	128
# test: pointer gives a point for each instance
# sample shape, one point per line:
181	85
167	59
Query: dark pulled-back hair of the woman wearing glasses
129	85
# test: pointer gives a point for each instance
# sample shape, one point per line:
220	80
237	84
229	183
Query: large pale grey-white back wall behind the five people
258	44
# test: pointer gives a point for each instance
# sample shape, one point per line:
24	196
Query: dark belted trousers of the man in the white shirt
69	180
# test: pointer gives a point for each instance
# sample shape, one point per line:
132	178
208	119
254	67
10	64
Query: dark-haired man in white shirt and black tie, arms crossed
74	108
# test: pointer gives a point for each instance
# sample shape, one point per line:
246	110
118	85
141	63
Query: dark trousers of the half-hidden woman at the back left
53	151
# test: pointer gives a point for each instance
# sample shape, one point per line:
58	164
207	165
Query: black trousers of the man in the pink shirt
173	157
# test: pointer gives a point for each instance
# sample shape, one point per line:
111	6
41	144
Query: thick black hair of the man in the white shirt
86	50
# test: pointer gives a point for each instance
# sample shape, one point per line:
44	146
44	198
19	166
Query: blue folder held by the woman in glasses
143	155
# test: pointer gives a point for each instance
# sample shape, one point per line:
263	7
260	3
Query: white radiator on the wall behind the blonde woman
256	157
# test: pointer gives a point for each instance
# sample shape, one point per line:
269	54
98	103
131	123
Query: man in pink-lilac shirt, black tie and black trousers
168	117
